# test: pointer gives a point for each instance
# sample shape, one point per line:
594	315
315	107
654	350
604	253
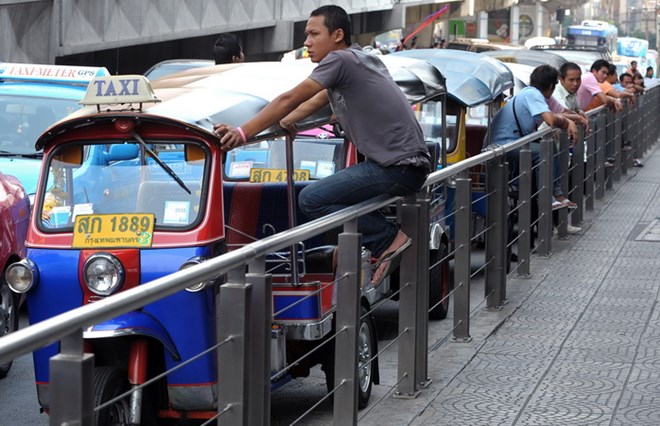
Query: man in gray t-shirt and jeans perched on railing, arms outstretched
376	117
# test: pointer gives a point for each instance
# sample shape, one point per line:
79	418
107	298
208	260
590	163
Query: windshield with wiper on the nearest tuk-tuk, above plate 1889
121	177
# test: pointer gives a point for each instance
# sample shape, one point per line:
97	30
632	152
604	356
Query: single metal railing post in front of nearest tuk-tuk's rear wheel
347	325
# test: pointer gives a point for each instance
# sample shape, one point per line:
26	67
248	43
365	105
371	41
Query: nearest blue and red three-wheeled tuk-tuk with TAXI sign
135	187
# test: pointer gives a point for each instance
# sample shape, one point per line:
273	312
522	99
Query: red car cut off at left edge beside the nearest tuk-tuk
14	221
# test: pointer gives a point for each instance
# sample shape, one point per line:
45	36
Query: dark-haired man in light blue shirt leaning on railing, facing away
525	112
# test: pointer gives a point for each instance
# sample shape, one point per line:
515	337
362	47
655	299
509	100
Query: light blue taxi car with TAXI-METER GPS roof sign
33	97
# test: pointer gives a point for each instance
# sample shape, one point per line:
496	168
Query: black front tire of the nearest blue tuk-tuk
110	382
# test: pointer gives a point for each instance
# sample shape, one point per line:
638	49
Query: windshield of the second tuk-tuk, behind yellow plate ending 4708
313	158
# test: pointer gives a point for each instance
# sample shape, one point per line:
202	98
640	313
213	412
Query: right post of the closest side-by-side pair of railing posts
260	341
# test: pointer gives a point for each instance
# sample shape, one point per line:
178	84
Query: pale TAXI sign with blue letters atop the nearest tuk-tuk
119	89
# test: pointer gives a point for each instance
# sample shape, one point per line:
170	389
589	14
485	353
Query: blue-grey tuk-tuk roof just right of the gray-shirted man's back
471	79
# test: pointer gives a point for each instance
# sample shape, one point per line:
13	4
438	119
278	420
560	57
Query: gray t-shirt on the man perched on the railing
370	107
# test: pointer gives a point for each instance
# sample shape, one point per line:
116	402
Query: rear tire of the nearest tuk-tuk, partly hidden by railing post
366	350
